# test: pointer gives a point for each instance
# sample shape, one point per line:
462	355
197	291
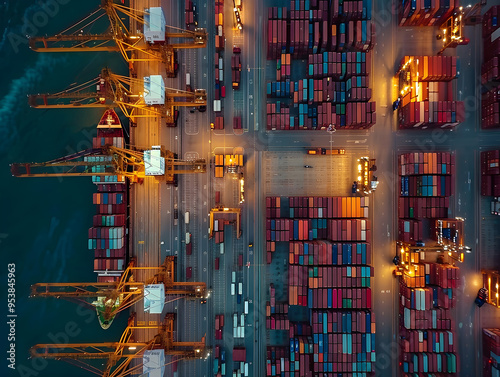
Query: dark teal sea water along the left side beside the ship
44	221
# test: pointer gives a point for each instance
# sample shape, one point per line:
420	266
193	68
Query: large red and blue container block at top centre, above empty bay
335	39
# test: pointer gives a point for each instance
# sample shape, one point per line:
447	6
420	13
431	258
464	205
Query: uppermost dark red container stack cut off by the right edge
491	45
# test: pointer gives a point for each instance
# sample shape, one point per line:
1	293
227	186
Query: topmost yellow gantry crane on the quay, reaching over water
119	37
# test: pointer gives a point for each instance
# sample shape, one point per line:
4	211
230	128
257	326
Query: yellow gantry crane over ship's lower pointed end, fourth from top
109	298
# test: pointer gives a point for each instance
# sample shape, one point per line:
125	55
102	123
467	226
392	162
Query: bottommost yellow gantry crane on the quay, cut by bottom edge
127	348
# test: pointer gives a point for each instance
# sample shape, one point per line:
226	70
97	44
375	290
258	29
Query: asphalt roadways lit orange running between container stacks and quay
155	235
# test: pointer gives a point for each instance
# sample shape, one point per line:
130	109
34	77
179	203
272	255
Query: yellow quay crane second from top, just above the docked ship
112	90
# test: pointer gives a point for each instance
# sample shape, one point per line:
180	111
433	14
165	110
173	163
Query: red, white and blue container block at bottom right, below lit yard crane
428	340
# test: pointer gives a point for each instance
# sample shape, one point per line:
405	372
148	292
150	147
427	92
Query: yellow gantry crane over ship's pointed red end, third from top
131	163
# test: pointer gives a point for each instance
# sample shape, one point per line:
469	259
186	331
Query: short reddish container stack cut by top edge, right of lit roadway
416	13
